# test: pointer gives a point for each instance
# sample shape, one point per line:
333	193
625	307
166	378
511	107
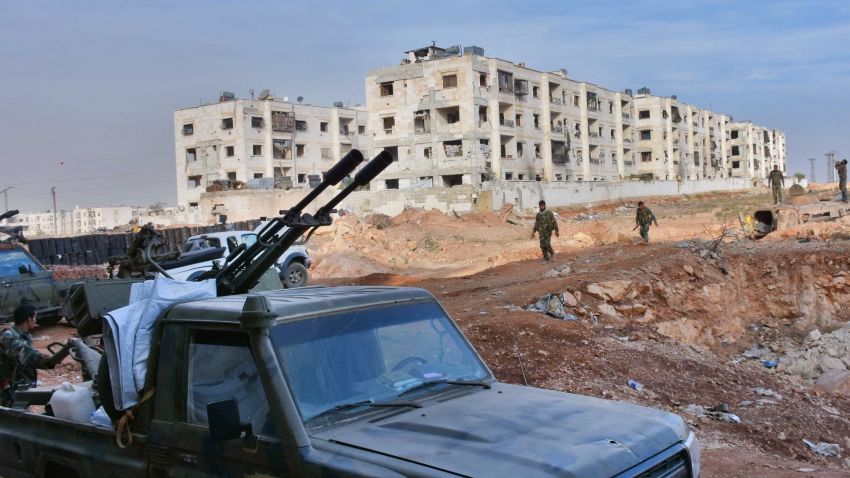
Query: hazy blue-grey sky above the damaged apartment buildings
88	88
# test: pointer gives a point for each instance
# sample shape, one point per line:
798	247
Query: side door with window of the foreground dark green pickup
220	366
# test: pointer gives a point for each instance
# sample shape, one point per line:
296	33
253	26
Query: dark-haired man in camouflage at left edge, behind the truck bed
18	359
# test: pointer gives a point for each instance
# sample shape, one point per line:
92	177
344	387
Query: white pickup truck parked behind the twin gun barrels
292	265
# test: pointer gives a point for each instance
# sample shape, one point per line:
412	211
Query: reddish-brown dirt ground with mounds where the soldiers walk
680	326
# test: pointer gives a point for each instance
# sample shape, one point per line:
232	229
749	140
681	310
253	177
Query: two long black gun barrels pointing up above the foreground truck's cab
245	265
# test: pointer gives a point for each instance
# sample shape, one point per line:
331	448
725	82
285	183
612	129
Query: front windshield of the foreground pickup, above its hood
372	355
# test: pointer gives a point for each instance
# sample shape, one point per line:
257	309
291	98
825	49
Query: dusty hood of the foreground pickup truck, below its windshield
517	431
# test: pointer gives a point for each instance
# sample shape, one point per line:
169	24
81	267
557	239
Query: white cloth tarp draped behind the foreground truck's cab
127	335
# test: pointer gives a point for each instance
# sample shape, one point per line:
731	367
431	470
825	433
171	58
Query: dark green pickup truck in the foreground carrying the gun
343	381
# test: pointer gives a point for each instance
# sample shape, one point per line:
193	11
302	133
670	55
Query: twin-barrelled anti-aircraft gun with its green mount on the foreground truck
245	265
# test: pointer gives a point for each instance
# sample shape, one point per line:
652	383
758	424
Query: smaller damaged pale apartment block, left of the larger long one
263	143
